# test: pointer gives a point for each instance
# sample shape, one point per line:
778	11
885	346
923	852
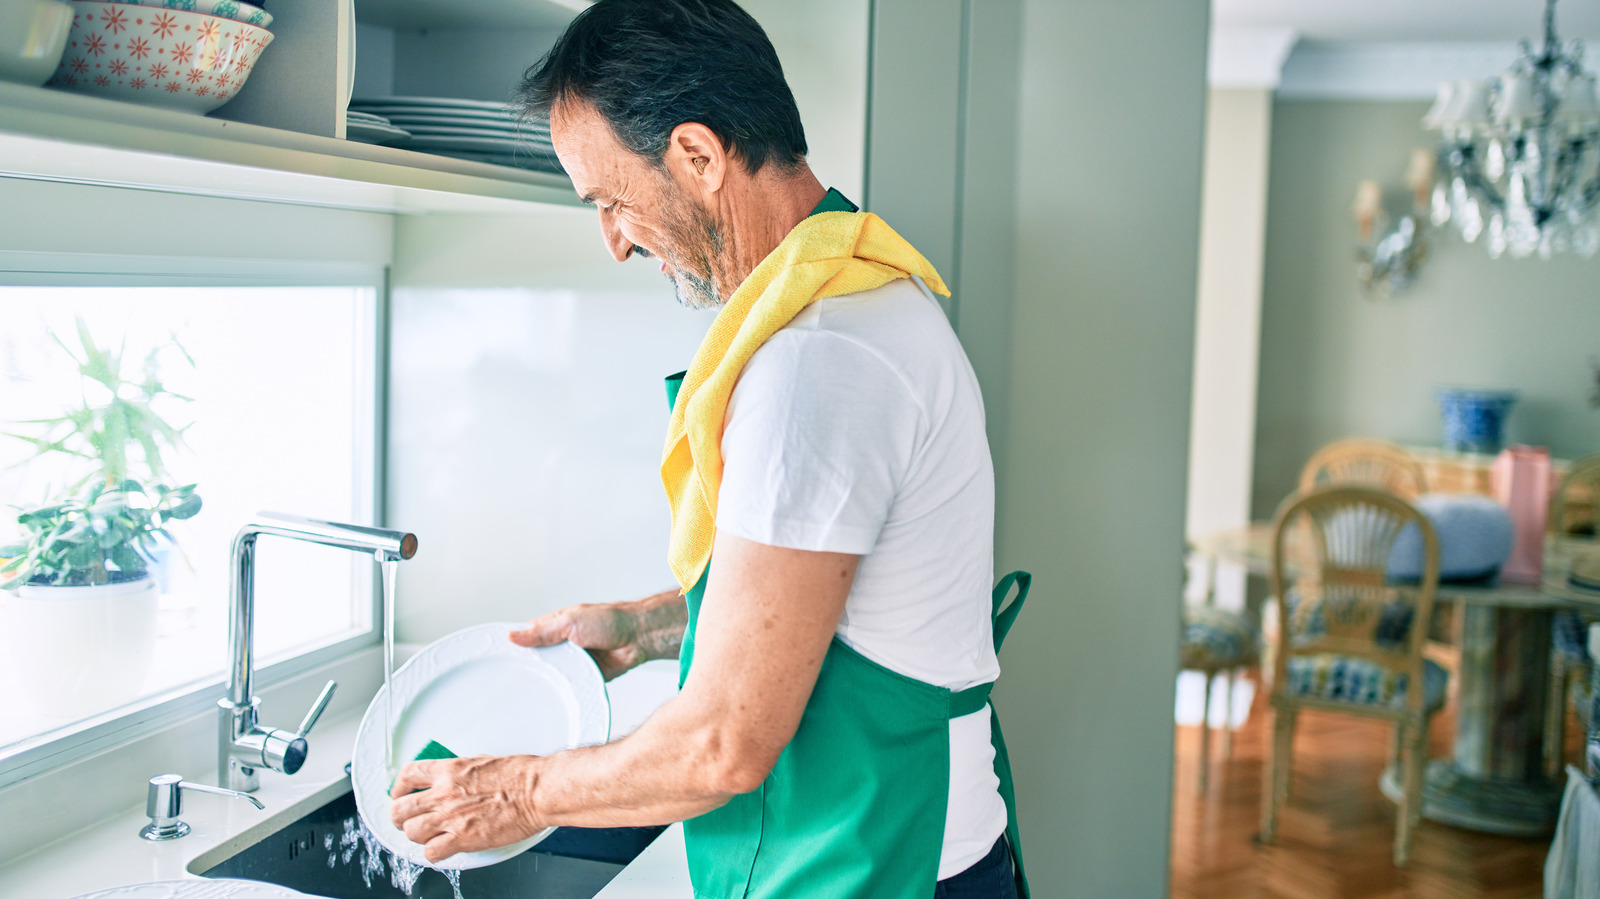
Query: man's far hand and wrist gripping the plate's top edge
618	636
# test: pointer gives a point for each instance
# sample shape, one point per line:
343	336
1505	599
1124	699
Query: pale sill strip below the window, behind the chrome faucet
76	796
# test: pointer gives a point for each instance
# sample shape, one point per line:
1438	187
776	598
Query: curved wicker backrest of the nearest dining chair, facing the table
1330	557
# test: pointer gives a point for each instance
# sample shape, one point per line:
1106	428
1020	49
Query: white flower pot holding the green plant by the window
76	652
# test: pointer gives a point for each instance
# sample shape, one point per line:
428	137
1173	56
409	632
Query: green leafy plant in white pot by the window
82	597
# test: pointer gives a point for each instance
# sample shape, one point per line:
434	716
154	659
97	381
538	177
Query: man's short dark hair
649	66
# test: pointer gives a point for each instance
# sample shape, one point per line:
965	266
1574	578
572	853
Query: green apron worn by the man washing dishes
855	807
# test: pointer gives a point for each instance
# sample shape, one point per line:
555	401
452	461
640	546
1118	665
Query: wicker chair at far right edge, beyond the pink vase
1575	511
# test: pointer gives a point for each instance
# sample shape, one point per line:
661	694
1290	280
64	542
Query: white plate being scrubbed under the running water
478	693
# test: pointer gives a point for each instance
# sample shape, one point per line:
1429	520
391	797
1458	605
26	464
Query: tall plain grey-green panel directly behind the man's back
1047	158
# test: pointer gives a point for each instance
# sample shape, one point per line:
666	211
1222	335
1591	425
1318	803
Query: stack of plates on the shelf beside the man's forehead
466	129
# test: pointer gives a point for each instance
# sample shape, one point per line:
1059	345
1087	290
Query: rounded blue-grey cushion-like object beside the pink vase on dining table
1474	538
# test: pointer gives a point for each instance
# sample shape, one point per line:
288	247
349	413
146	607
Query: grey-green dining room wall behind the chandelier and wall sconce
1335	364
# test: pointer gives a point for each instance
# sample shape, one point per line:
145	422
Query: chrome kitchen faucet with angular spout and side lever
244	745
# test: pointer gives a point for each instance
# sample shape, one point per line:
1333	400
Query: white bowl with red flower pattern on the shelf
169	58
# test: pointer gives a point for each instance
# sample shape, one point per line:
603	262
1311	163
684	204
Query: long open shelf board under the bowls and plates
54	135
